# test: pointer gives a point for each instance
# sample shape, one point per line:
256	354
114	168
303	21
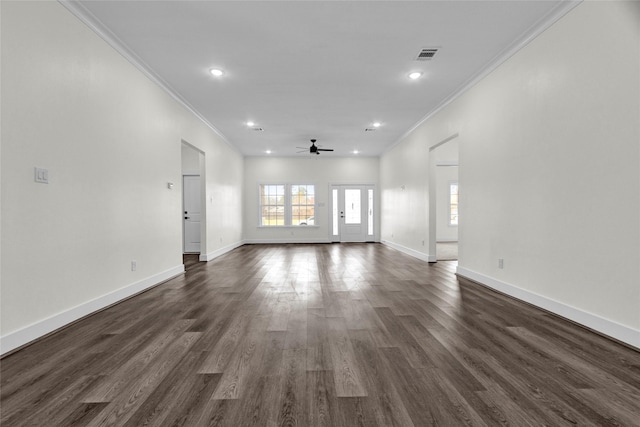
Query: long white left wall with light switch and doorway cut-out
111	140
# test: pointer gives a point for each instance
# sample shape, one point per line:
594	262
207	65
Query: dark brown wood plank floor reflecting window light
321	335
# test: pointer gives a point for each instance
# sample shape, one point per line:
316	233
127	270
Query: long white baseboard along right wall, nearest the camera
601	325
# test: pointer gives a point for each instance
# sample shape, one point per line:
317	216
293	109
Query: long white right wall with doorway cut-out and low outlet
550	171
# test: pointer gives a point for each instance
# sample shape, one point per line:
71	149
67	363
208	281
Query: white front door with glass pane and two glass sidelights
352	218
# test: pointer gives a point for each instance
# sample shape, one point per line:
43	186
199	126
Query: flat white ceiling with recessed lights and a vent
316	69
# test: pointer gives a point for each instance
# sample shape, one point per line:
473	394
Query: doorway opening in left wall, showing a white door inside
193	201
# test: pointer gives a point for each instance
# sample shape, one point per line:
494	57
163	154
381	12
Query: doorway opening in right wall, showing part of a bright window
443	200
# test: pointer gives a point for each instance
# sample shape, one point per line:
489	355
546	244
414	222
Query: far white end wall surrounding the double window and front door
322	171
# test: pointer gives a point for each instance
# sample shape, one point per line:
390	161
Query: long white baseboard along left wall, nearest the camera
39	329
